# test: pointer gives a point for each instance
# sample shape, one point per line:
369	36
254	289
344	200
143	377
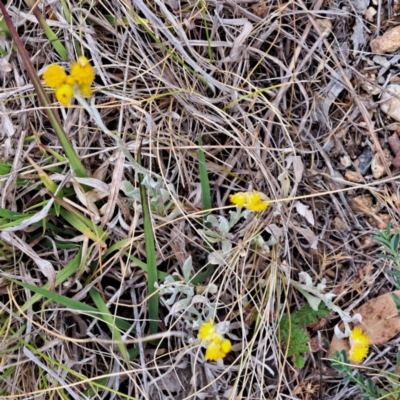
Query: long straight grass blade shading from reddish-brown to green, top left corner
76	164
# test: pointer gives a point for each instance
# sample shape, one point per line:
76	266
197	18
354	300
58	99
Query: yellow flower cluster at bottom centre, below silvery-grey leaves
216	346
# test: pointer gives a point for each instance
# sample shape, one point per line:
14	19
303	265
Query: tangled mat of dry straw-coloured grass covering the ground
275	97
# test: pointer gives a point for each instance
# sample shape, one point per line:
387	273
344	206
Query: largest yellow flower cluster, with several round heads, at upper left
81	78
